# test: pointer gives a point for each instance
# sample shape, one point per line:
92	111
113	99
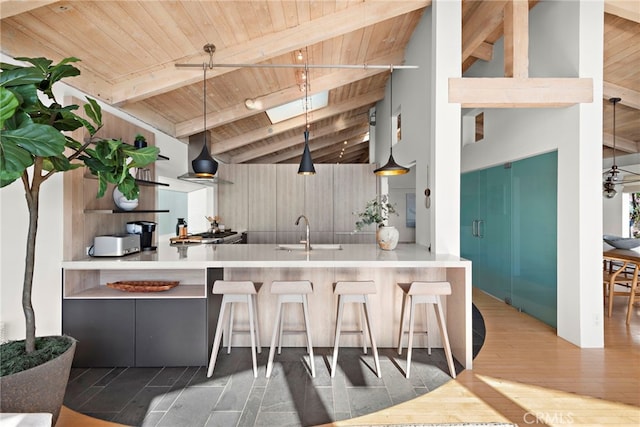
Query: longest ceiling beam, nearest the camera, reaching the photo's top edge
167	77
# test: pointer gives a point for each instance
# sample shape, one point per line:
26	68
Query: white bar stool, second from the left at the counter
290	292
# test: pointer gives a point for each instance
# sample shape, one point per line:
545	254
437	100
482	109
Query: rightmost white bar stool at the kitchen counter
425	293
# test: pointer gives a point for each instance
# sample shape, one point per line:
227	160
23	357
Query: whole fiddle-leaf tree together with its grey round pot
34	145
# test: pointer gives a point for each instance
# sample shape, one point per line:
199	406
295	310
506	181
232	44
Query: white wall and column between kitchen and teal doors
422	97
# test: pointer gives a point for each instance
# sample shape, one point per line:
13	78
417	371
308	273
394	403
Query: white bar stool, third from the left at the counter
355	292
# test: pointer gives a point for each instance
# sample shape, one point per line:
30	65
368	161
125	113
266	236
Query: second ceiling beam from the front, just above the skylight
326	82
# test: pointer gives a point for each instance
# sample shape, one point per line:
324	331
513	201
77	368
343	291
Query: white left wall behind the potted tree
13	231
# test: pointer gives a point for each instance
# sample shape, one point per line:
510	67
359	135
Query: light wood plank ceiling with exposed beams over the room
129	50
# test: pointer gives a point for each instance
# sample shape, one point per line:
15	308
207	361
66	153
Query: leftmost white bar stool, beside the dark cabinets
236	292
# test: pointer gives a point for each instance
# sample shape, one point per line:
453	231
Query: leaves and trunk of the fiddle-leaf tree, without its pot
35	144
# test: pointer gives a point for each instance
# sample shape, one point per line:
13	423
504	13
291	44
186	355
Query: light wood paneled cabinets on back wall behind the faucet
267	200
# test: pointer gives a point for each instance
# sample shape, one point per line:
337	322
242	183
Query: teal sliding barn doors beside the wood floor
508	229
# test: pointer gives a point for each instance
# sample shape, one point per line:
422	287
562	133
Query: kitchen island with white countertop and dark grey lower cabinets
176	327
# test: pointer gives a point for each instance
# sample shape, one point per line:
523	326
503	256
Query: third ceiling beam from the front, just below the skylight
275	129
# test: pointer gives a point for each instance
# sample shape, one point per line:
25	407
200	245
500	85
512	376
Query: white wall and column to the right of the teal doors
565	41
